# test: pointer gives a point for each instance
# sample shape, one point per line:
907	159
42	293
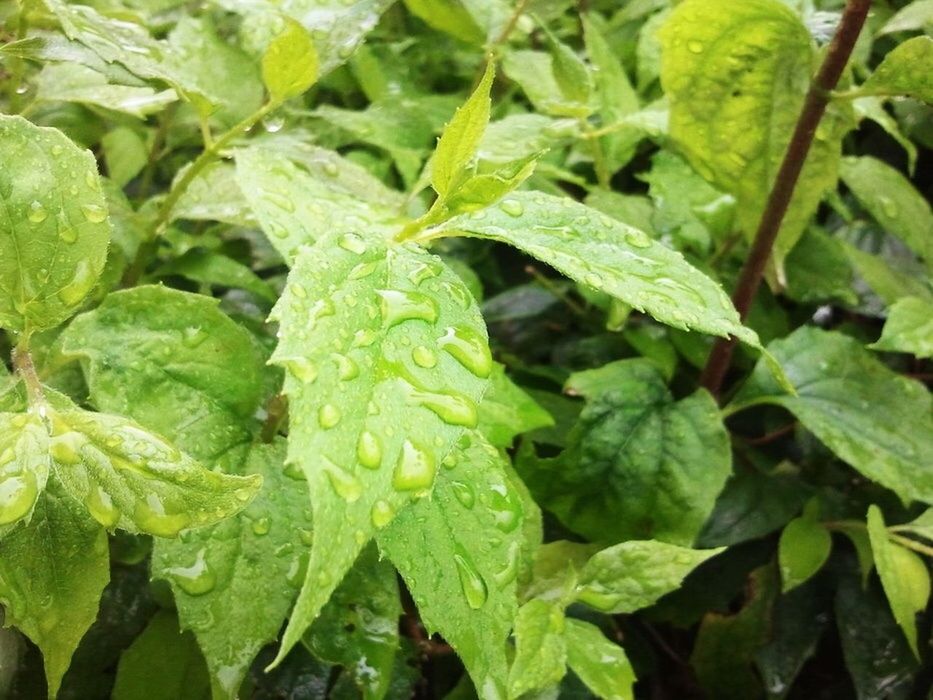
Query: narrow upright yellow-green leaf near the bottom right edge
903	574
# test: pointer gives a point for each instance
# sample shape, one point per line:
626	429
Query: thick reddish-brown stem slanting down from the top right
818	96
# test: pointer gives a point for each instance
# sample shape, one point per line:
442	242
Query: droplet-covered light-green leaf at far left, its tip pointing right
131	479
